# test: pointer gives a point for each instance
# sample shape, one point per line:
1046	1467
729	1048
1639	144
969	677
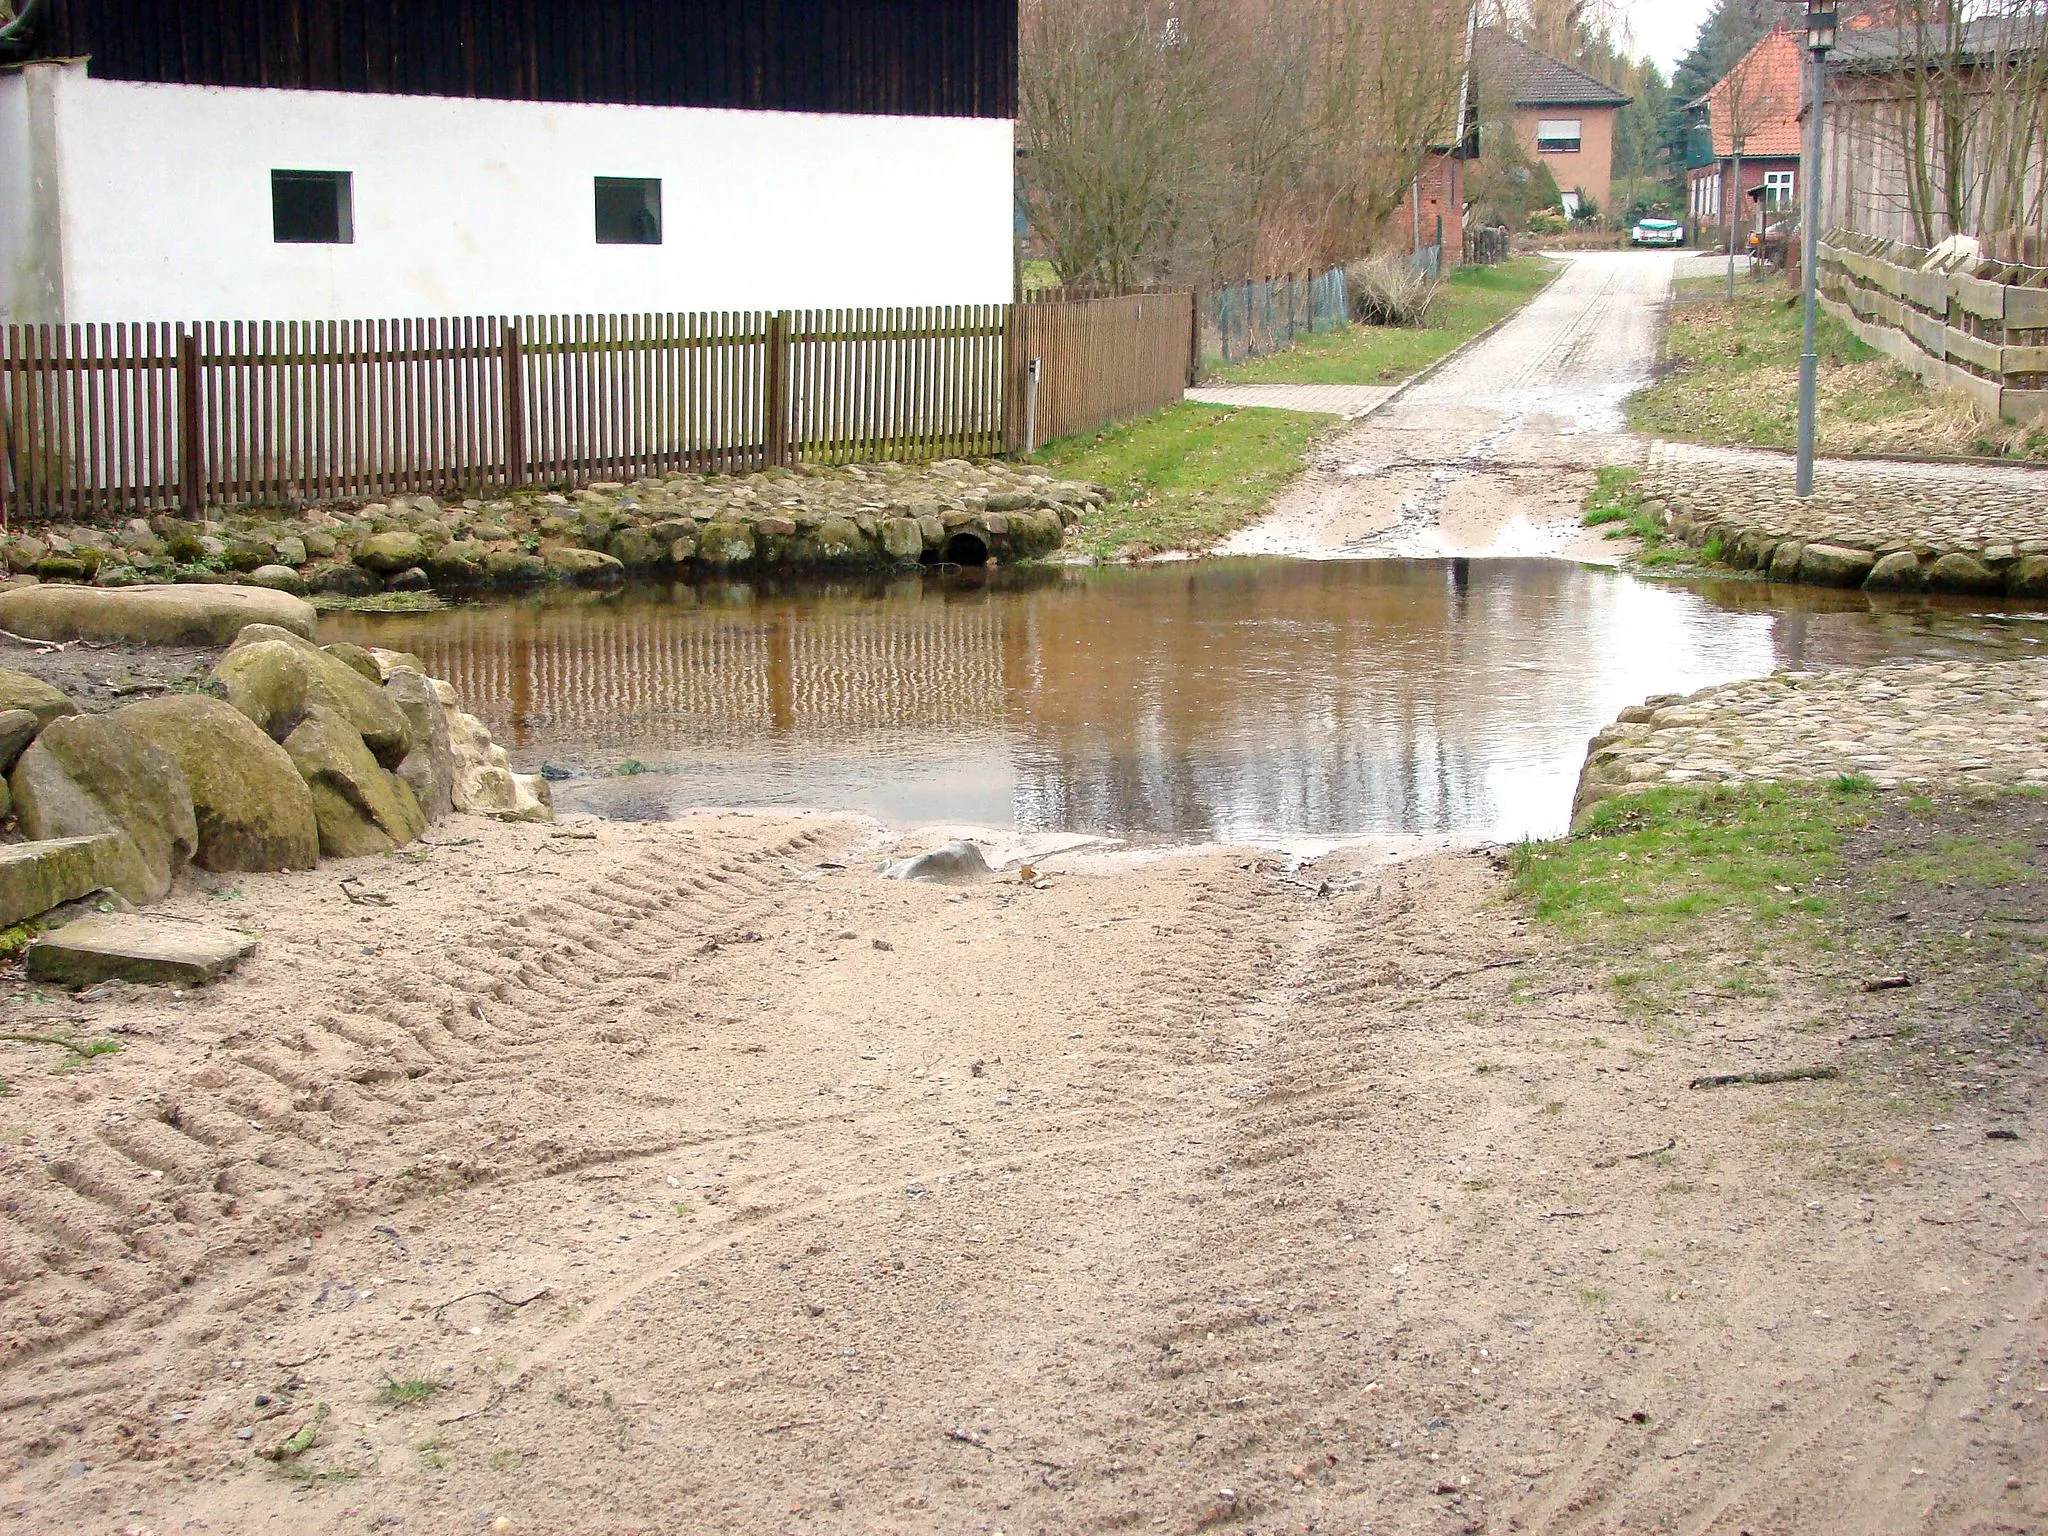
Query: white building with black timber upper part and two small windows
349	159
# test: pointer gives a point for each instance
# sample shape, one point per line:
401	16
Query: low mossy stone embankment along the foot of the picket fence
857	517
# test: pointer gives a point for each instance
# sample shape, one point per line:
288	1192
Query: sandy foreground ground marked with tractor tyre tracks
724	1187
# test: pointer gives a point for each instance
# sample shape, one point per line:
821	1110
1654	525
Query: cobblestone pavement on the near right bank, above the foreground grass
1897	722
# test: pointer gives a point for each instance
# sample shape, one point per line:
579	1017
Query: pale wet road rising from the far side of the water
1494	454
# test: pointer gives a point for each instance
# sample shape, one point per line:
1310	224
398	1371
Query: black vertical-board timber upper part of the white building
925	58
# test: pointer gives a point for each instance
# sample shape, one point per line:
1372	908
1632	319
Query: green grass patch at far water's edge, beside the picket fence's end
1183	478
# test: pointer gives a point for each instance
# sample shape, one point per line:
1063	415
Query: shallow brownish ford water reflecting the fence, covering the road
1203	701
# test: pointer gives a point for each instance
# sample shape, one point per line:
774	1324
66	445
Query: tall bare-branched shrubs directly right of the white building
1213	140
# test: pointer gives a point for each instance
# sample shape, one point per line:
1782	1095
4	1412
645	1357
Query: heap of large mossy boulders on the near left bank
296	753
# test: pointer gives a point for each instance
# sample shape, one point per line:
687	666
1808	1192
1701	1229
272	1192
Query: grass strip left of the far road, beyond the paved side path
1471	300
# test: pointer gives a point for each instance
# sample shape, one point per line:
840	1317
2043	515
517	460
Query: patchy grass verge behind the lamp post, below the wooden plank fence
1732	378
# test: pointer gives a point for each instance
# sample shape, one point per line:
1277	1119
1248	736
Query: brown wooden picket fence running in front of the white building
138	419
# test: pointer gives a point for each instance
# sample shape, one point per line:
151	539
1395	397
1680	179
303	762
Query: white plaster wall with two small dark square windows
488	208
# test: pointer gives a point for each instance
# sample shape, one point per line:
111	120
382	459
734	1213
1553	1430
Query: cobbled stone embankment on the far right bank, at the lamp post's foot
1885	527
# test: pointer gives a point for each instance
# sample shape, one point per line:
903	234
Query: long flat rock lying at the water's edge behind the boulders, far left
151	615
